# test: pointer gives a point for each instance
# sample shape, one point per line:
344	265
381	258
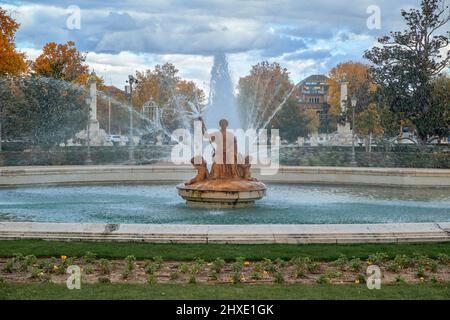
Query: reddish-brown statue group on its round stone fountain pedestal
229	184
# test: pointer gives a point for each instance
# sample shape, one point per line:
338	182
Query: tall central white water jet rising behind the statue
222	102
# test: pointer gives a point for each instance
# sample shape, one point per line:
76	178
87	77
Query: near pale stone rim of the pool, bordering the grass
350	233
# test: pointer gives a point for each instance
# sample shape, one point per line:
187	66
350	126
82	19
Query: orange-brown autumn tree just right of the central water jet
262	92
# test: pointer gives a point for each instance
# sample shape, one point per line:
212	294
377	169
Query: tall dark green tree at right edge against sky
405	64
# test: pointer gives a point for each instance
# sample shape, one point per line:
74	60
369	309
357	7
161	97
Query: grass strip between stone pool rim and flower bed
119	250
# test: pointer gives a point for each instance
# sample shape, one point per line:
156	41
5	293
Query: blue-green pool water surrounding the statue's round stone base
284	204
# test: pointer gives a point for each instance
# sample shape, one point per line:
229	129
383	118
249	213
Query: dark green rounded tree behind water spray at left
45	111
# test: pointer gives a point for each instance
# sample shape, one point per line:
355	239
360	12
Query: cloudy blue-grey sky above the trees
120	37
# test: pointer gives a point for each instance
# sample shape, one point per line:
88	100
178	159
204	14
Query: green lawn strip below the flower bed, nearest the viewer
223	292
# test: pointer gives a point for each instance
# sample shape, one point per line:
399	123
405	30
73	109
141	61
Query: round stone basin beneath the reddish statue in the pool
219	194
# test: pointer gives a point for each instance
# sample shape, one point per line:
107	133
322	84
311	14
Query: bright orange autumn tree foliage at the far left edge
12	62
